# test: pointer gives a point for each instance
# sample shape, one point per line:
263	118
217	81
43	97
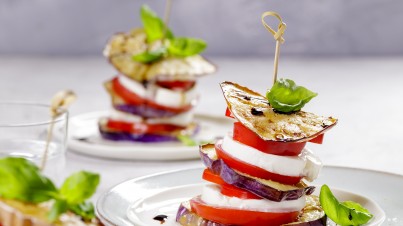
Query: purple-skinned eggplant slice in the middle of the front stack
230	176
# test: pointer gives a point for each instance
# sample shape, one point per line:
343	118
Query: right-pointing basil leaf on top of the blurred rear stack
183	47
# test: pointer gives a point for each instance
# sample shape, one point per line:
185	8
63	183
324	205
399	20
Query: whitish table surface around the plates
365	94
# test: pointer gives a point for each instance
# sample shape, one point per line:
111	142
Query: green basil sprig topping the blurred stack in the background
174	46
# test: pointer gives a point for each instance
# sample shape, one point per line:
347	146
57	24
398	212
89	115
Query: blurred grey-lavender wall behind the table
231	27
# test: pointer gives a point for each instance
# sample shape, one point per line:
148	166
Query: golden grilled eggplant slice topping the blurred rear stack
122	46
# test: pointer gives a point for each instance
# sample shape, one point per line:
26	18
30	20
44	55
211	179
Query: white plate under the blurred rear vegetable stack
84	138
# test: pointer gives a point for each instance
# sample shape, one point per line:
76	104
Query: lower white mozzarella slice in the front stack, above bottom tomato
212	196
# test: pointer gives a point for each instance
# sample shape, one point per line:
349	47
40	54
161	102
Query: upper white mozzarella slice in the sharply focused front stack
306	164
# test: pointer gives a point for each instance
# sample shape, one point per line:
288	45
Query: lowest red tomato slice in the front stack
230	216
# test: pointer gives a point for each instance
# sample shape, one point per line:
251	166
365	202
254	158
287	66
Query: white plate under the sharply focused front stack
383	188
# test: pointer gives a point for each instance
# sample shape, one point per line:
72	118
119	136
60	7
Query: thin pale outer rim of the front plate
104	196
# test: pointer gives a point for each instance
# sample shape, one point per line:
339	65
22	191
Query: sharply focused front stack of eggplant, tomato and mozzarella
257	172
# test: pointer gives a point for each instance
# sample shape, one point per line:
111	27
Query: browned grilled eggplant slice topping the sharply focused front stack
254	111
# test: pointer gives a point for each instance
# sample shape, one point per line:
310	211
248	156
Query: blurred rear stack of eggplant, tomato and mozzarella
152	102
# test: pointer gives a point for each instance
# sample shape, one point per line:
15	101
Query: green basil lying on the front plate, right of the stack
345	213
